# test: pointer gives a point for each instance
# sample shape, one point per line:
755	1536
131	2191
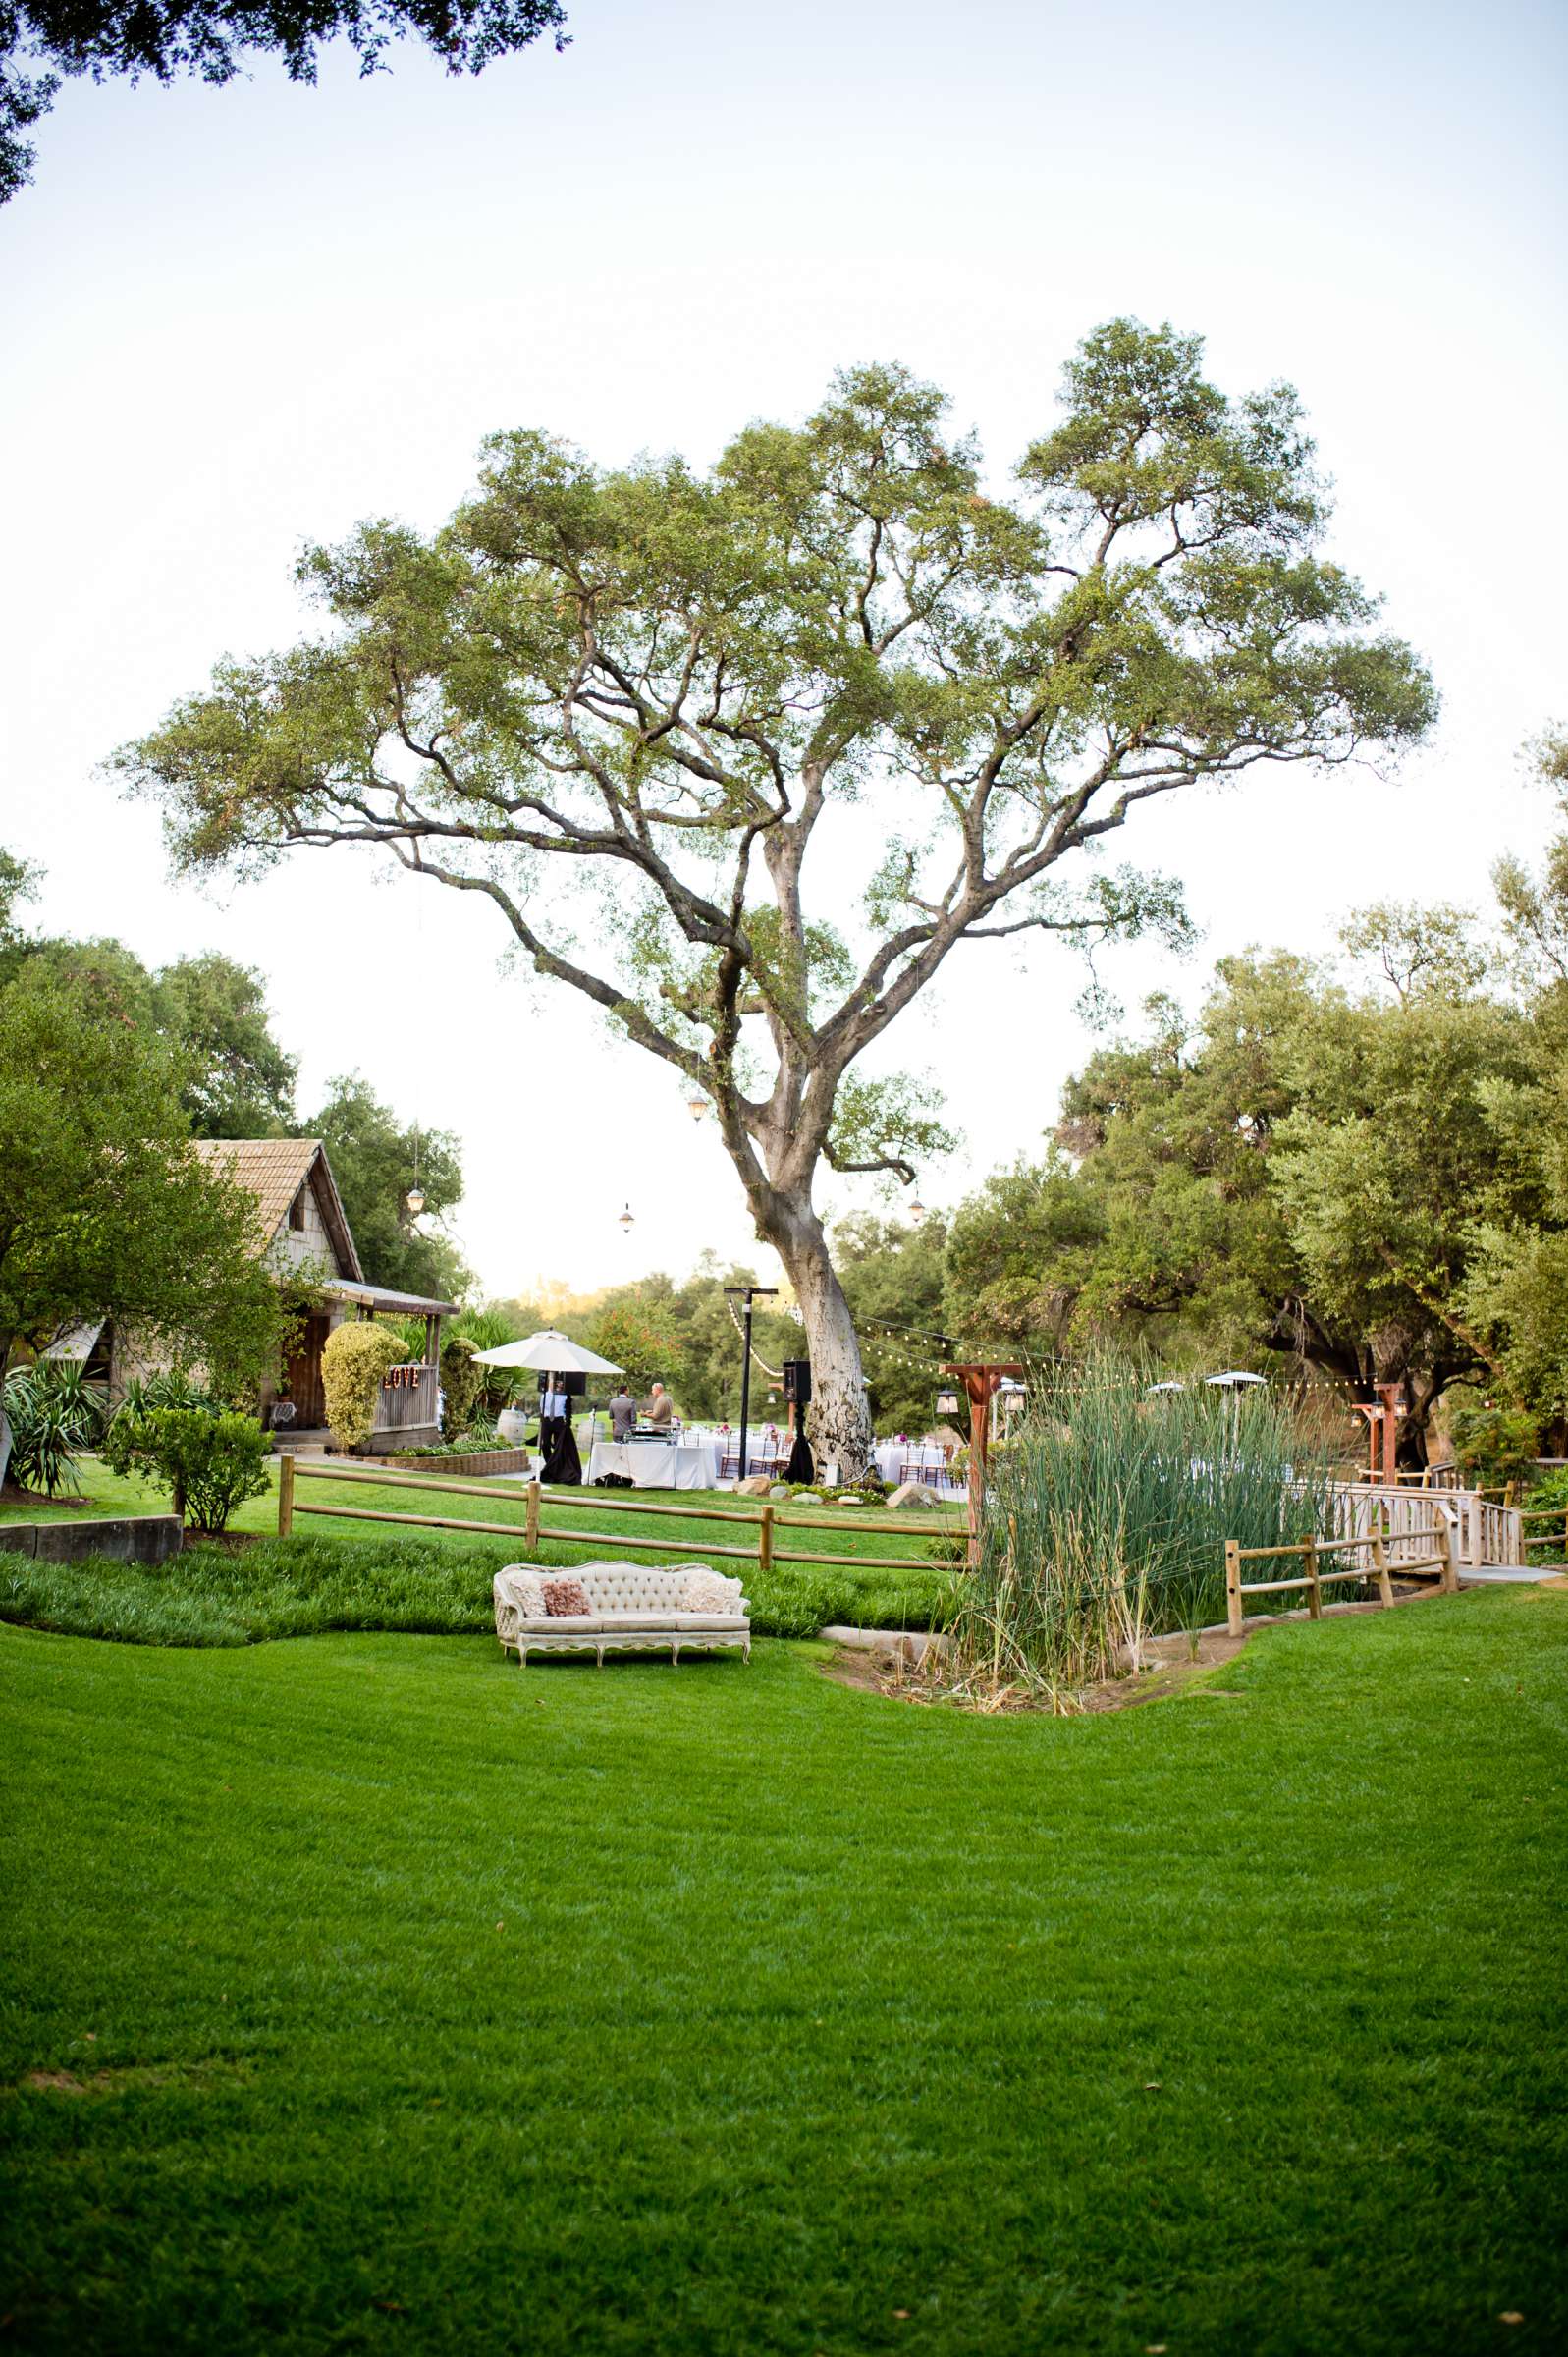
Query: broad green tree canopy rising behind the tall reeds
1312	1170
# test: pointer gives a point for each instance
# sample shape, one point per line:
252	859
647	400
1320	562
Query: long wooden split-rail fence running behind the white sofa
763	1552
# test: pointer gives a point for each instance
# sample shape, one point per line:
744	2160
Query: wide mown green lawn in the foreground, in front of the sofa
419	2002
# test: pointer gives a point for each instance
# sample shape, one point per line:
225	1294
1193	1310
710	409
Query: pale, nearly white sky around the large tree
239	319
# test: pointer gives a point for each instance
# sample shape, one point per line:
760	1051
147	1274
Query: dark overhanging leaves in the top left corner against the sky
51	41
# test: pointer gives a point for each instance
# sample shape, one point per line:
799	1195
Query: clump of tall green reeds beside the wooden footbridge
1107	1521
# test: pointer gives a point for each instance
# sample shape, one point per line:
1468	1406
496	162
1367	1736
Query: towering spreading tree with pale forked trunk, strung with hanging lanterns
635	713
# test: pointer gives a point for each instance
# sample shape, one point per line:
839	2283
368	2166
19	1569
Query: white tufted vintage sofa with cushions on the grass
631	1609
